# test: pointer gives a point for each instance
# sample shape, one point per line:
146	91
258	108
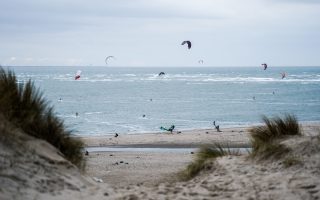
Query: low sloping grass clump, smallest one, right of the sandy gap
201	162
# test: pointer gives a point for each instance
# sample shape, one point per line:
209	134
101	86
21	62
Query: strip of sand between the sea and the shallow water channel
236	137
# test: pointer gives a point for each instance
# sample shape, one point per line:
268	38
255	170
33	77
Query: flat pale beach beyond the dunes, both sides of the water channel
123	168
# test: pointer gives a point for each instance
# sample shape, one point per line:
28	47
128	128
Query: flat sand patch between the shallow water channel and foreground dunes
121	169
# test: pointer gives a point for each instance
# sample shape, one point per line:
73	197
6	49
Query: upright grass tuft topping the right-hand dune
266	139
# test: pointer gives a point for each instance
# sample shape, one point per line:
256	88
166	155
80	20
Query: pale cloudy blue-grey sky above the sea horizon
150	32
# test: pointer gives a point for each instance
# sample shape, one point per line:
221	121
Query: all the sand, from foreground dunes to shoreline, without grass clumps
41	172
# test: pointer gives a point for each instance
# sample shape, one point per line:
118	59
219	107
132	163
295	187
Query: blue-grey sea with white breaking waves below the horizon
129	100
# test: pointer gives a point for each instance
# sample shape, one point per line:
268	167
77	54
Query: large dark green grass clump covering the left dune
24	106
